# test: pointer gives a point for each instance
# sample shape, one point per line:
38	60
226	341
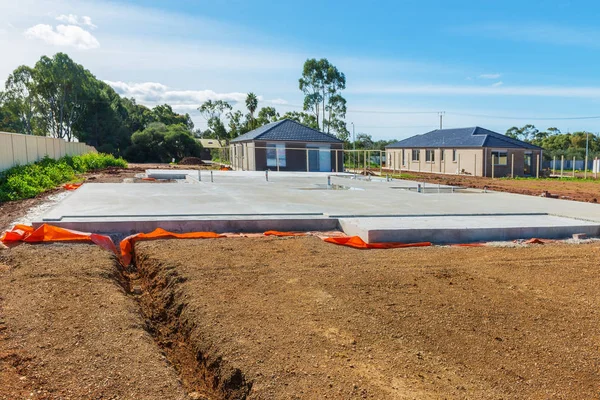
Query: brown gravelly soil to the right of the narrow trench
299	318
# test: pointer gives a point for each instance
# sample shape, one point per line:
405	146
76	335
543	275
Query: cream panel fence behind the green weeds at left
17	149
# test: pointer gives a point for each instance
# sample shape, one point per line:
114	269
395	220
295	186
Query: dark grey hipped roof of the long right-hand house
462	137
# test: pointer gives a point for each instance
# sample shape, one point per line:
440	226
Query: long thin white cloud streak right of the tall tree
466	90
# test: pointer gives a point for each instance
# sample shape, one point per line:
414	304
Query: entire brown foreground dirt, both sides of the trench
297	318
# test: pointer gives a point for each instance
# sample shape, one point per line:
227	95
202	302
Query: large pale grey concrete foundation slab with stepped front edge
246	201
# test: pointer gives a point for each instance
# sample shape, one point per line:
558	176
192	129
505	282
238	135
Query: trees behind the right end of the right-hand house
557	144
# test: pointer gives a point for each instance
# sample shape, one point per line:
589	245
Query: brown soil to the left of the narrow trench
68	330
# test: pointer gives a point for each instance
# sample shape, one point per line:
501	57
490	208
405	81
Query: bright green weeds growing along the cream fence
27	181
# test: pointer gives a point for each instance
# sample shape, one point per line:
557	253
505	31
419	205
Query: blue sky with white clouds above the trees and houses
494	64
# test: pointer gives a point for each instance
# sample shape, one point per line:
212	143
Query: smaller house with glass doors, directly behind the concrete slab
287	145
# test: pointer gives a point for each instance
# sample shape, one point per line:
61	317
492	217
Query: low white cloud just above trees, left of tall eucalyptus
152	93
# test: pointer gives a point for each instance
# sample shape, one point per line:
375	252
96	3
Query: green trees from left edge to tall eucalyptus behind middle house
60	98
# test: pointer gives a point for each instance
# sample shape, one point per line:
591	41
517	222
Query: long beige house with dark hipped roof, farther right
471	151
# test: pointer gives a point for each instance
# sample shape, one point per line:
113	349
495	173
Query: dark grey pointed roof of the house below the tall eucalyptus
287	130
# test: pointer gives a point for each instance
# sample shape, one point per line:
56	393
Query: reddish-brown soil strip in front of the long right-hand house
588	191
